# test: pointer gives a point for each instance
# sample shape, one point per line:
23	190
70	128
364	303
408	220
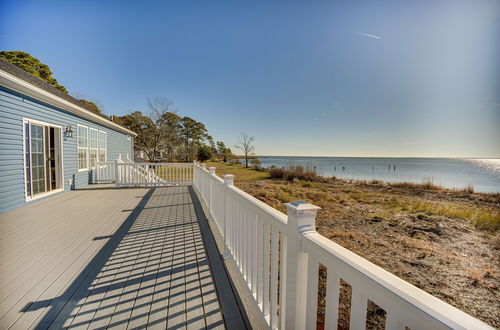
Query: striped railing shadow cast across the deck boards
104	296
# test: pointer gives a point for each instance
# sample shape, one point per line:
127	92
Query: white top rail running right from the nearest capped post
436	309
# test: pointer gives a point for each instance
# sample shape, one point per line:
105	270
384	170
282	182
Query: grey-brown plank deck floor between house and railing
113	258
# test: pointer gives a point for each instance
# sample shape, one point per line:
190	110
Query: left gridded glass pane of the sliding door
38	166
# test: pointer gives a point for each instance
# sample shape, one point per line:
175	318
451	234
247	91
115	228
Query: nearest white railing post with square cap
301	219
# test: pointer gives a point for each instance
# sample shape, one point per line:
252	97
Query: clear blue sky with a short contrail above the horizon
347	78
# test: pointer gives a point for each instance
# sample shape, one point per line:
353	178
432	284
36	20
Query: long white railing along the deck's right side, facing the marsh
279	255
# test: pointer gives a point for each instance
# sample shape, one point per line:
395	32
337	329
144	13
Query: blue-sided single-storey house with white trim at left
49	141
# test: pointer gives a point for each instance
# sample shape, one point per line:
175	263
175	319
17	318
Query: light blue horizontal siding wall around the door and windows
13	108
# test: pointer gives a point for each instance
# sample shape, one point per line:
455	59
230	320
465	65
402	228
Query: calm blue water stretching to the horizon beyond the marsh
482	174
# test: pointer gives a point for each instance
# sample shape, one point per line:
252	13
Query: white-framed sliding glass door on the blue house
42	158
